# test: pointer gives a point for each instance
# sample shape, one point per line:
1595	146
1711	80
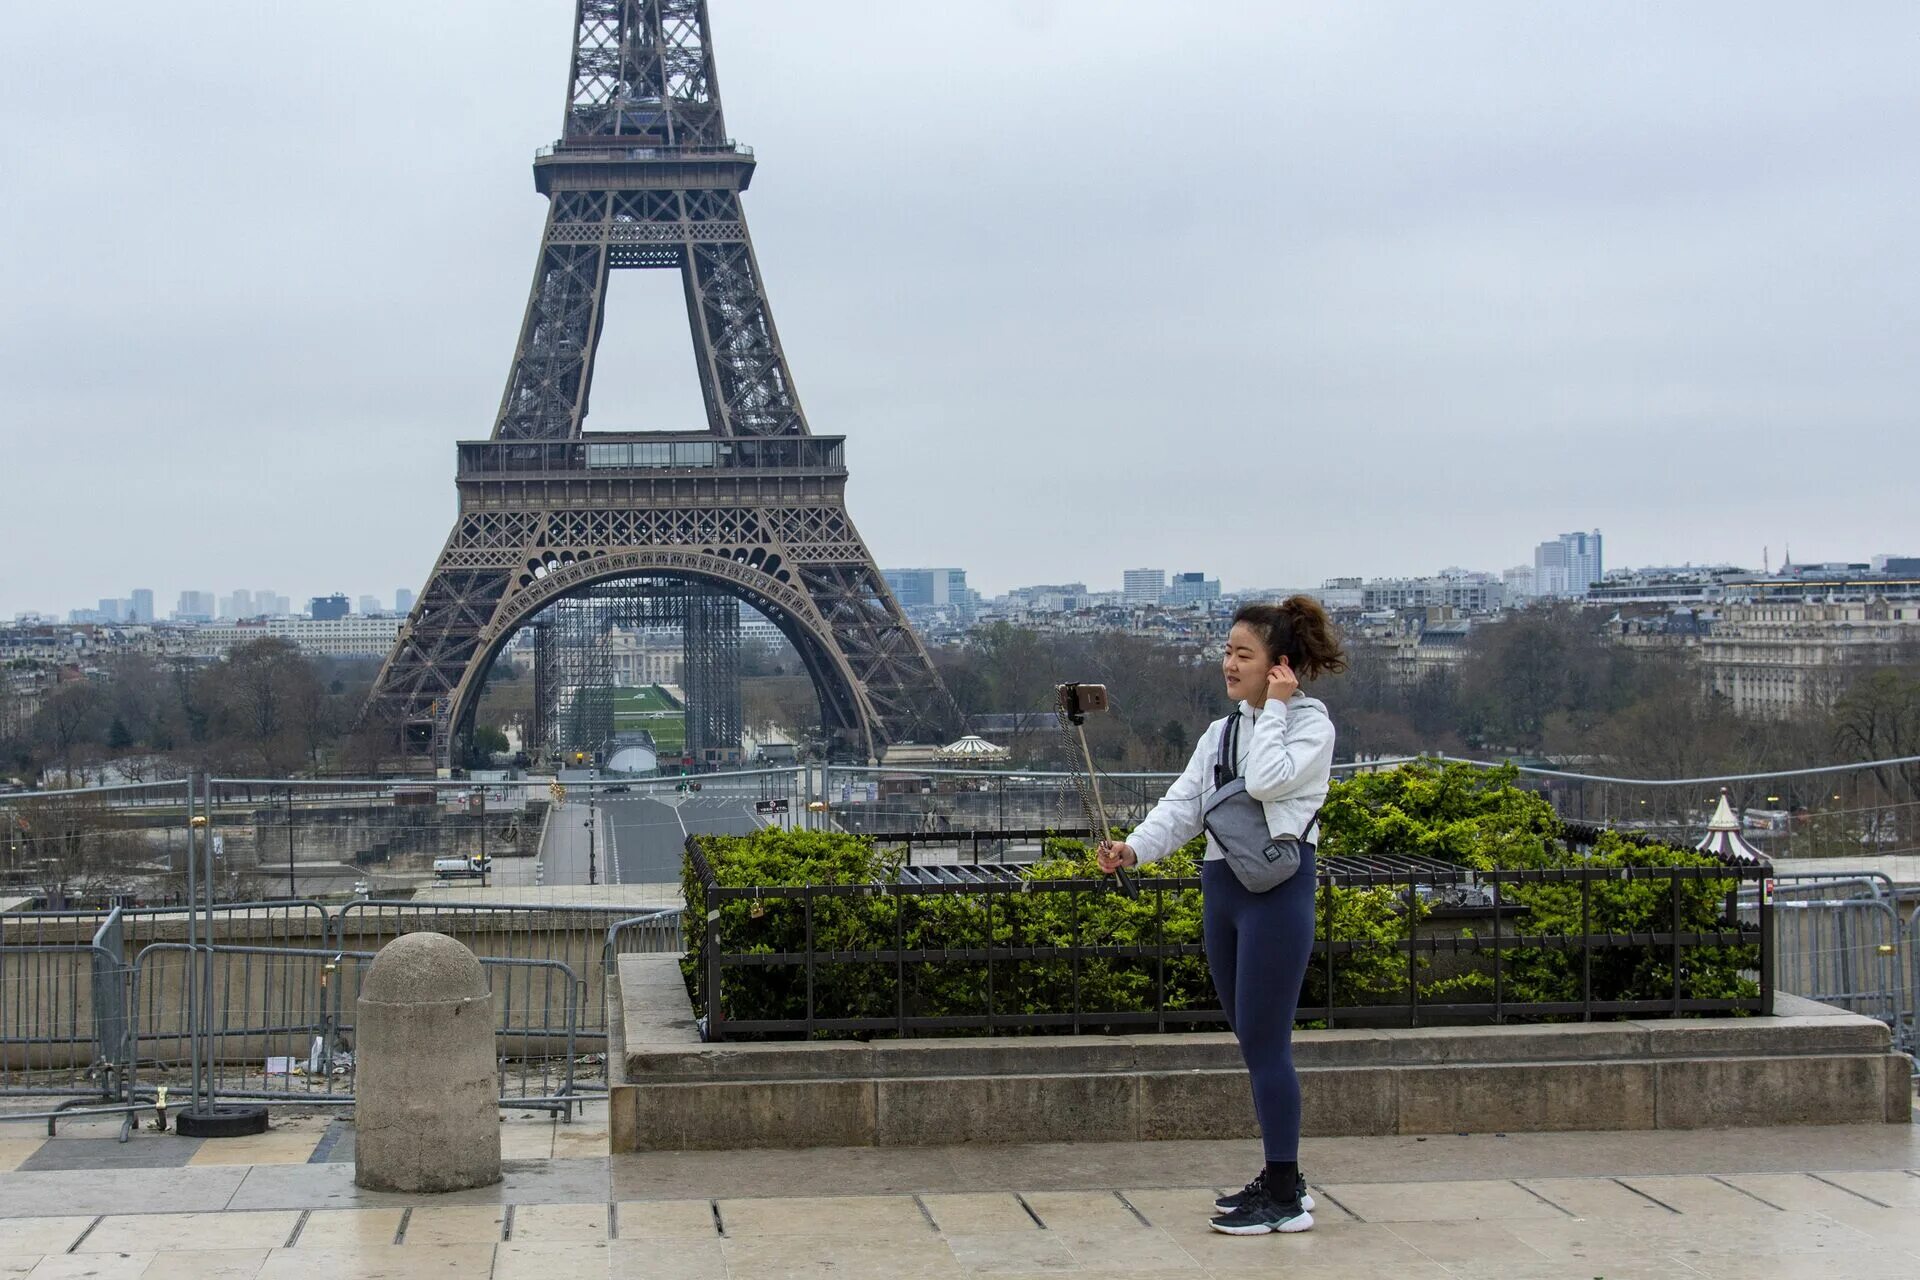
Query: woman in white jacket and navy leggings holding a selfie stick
1259	943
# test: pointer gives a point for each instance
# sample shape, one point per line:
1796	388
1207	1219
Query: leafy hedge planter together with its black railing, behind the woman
1447	895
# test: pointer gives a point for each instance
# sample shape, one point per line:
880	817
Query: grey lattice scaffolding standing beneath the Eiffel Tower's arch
575	669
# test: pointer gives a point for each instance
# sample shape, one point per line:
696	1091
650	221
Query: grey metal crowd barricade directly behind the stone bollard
279	1024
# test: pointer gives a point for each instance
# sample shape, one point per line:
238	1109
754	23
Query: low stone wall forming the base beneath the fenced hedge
1810	1064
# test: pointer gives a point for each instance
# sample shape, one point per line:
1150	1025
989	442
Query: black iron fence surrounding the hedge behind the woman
1399	943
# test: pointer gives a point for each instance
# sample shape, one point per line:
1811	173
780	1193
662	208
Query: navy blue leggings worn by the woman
1259	949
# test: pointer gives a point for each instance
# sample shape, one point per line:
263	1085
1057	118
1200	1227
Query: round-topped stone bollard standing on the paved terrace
425	1099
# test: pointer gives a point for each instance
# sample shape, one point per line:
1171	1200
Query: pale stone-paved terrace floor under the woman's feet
1750	1204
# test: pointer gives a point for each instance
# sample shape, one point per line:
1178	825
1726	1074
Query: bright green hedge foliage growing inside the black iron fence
1460	815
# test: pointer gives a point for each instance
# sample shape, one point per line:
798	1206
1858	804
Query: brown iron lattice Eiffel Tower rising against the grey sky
646	178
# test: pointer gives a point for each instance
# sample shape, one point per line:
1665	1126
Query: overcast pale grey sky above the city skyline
1268	291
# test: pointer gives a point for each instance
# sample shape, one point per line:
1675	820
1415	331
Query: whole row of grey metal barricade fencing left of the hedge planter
256	1001
